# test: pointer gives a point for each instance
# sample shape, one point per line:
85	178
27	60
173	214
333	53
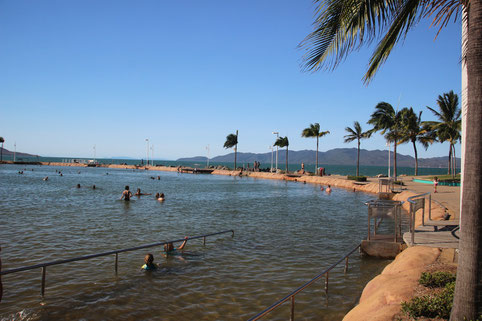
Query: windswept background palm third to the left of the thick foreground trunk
385	119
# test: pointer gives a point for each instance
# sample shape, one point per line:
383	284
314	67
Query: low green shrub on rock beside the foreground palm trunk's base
431	306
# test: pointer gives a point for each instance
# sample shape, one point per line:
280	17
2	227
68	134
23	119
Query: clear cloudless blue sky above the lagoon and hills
185	74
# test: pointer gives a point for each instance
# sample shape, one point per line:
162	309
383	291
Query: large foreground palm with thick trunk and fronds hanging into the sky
342	26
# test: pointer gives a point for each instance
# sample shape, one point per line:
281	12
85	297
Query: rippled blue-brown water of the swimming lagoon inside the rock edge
285	234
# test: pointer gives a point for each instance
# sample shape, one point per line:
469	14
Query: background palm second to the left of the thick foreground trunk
413	131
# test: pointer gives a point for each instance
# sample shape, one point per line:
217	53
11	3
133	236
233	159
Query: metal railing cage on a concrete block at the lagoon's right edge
383	245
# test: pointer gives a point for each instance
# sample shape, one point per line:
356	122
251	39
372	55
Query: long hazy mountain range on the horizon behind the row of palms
337	156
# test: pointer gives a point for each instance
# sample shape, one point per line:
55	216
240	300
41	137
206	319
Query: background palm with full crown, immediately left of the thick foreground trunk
447	129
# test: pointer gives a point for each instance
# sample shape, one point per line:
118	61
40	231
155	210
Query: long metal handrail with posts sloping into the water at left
87	257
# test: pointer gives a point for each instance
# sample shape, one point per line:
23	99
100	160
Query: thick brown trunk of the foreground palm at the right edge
468	288
